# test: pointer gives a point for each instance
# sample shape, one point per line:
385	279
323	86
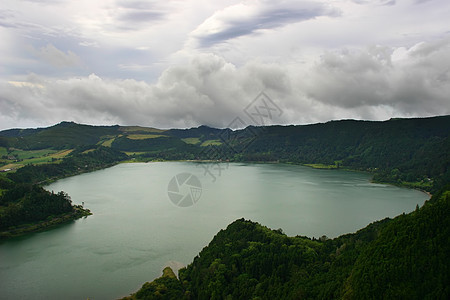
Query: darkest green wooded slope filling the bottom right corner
410	258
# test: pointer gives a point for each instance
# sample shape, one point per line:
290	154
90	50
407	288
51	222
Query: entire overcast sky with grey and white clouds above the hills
184	63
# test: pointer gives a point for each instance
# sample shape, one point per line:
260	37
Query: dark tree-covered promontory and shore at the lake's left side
23	201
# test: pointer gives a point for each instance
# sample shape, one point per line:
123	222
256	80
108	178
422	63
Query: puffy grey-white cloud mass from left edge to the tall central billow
206	91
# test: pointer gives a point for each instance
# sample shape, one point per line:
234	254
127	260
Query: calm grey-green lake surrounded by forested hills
138	228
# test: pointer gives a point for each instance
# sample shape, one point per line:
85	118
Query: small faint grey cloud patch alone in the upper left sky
56	57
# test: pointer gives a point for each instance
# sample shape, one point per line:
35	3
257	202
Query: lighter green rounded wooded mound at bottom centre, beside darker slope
249	261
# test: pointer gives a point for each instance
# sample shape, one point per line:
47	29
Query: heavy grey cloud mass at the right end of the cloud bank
416	81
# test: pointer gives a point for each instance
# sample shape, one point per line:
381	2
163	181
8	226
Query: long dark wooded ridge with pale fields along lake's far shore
412	152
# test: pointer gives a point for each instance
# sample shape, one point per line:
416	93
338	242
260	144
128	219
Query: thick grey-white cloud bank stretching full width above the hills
365	83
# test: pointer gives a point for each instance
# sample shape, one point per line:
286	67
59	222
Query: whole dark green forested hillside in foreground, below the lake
402	258
